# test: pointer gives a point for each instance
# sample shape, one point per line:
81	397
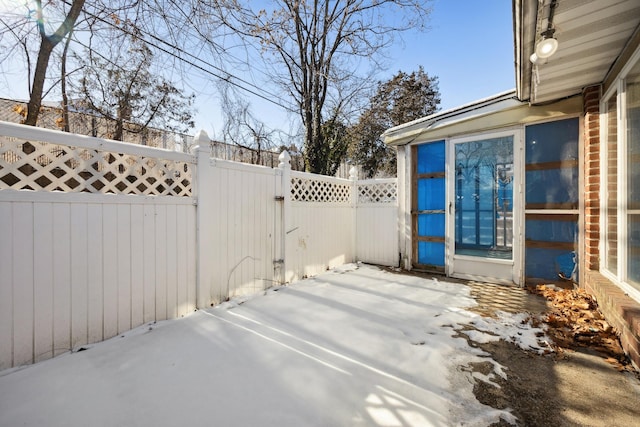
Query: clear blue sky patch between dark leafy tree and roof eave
469	48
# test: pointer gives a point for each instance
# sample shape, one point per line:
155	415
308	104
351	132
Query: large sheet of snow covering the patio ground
355	346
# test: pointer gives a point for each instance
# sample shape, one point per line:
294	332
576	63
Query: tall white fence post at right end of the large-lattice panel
204	232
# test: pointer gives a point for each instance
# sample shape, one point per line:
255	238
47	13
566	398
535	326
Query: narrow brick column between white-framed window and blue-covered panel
591	100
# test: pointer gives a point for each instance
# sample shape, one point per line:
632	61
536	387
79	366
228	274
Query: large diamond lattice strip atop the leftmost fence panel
42	166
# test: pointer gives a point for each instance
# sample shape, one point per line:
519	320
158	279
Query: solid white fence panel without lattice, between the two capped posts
237	214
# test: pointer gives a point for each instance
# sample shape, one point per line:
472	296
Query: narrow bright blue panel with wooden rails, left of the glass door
428	210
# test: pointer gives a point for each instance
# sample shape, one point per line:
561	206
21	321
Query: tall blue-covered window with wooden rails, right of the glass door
551	201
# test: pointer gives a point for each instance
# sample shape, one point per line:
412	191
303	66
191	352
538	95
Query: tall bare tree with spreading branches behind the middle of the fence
315	46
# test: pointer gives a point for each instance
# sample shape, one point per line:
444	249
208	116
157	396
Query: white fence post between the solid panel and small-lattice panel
285	220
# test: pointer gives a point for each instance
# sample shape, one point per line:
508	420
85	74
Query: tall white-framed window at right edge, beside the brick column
621	179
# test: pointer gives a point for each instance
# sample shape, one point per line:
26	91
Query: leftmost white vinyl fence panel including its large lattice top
96	238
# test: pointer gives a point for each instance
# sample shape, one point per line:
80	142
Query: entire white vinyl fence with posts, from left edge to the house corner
98	237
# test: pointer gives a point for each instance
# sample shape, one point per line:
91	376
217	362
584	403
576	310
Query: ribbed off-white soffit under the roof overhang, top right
591	35
